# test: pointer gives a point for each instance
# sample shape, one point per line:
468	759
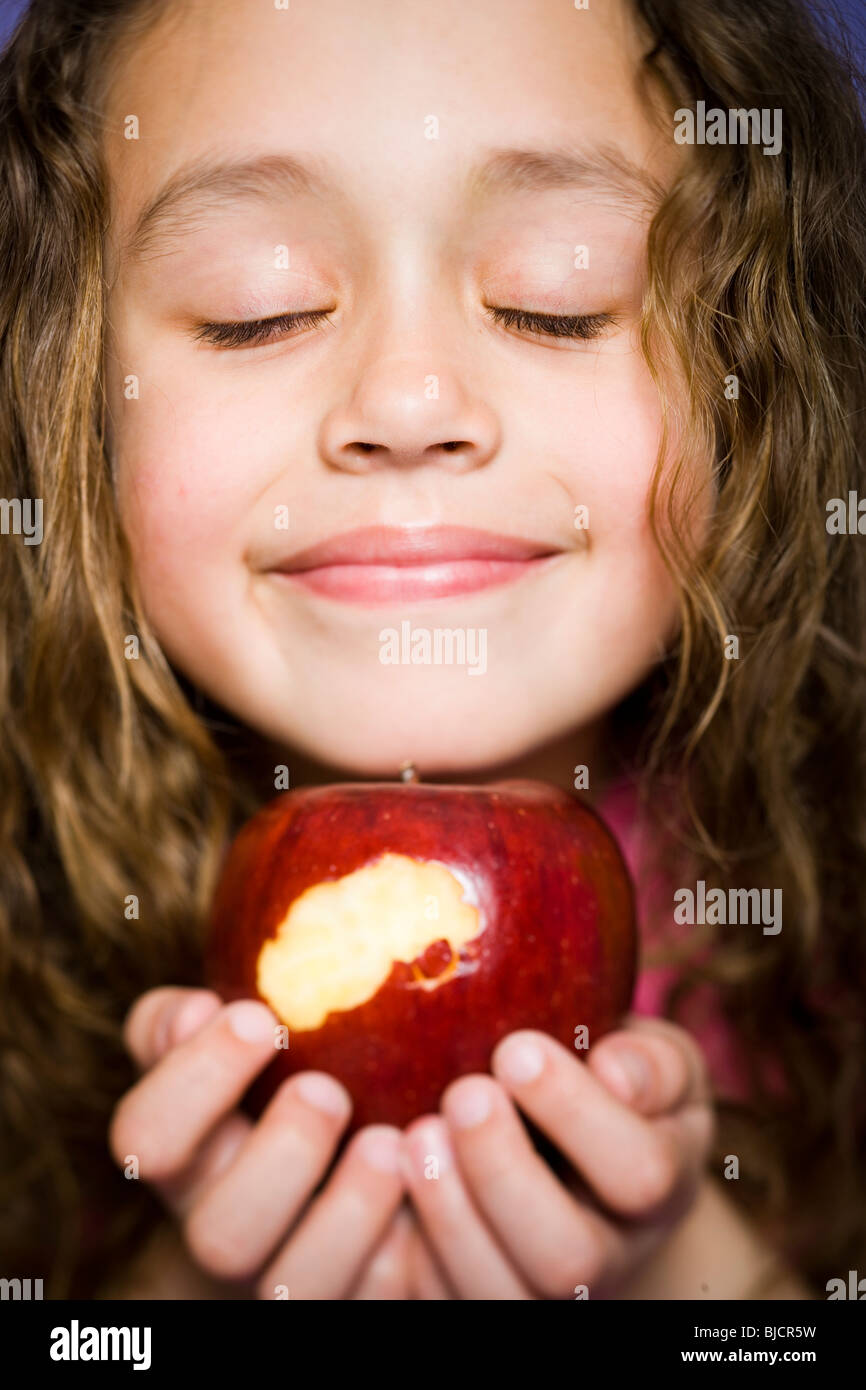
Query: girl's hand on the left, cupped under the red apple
243	1191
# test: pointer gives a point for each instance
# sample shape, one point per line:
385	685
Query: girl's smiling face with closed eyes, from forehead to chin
408	170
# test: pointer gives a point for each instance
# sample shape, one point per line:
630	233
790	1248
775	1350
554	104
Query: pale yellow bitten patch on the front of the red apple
340	940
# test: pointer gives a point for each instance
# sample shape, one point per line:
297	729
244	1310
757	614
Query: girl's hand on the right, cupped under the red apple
501	1223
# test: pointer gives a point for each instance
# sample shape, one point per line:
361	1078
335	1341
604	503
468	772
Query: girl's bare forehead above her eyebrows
390	101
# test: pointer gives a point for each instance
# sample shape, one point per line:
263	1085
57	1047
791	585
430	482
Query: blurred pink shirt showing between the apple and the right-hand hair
655	907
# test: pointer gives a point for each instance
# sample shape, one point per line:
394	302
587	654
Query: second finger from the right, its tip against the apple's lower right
632	1164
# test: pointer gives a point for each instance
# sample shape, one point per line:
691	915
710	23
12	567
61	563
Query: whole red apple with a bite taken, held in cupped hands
401	931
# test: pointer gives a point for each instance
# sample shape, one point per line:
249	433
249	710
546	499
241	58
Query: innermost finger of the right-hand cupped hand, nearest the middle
469	1253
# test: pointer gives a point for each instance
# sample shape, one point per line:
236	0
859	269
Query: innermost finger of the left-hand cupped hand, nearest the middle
326	1254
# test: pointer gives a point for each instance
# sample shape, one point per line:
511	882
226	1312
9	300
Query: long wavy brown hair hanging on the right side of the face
758	279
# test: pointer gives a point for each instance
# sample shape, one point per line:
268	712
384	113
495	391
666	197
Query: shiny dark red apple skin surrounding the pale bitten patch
557	946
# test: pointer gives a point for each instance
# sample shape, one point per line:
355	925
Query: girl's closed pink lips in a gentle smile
382	565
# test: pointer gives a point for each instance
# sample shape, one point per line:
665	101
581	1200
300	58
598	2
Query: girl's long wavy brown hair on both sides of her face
119	783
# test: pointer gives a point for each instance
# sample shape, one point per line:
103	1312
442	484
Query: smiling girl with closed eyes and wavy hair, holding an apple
325	319
